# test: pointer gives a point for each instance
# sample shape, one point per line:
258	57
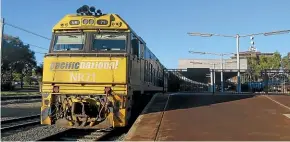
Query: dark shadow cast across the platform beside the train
189	100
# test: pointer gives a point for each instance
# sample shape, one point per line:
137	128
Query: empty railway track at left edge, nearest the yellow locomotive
21	122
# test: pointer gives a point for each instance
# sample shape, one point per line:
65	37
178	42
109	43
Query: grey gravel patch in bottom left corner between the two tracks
34	134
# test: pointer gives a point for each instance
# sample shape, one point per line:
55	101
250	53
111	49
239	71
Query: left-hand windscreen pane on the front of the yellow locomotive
69	42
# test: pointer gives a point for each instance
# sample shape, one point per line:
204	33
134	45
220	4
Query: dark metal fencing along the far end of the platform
267	81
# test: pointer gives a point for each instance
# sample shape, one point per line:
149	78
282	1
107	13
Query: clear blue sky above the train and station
164	24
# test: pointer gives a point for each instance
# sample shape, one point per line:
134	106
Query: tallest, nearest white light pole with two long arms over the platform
237	36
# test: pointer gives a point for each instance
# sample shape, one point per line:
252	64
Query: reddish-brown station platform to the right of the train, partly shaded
190	117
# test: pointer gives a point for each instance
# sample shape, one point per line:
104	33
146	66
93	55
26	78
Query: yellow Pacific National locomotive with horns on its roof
95	66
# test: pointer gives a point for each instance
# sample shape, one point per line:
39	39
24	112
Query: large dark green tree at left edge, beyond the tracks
17	58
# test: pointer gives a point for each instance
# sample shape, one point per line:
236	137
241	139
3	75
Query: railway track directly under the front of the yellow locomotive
81	135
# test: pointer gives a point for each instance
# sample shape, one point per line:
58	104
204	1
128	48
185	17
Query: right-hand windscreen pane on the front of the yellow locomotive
109	42
